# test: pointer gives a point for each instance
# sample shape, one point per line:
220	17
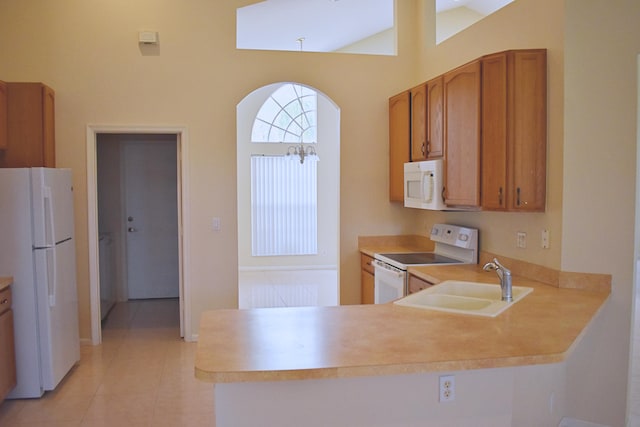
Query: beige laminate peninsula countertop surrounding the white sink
368	340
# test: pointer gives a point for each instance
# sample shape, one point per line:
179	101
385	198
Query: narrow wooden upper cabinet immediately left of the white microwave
399	141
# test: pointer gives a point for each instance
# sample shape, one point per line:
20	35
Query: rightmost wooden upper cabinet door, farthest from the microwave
528	130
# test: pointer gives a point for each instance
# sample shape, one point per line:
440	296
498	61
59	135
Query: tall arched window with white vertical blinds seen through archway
284	199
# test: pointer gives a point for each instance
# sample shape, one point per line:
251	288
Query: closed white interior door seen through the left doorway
151	218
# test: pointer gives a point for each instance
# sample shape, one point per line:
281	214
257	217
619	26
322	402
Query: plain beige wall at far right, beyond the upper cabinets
602	45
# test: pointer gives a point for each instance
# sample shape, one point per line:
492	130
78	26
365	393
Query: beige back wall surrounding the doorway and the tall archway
88	52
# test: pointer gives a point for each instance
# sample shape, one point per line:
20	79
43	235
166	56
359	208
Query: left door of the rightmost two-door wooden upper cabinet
494	132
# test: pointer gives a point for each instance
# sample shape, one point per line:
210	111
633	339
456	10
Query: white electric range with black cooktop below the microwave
453	245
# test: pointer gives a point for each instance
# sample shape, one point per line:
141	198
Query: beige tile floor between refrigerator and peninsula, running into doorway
141	375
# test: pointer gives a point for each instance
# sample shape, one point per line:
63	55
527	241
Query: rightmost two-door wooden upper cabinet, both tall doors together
514	132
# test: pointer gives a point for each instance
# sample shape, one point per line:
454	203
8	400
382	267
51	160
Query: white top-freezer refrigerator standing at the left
37	248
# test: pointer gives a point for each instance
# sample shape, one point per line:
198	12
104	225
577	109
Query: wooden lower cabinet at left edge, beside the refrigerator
7	345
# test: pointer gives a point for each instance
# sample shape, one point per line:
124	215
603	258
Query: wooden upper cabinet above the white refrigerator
30	126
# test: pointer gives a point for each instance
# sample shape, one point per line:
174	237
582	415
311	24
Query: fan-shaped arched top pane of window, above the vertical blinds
288	115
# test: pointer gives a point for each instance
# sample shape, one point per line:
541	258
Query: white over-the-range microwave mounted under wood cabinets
424	184
